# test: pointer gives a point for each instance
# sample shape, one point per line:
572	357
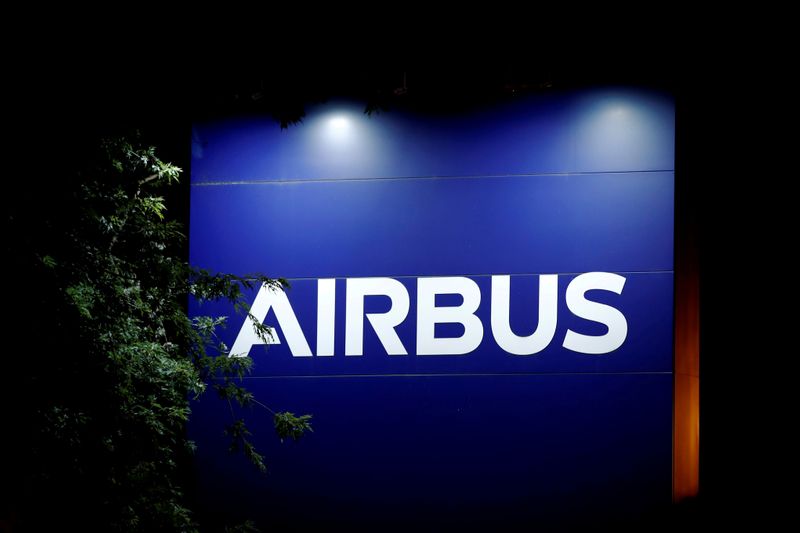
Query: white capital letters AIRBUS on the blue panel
429	315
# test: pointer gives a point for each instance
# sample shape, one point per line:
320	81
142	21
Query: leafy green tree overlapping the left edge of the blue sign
108	428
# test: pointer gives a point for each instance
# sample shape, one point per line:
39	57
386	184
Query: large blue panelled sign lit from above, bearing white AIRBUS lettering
480	311
